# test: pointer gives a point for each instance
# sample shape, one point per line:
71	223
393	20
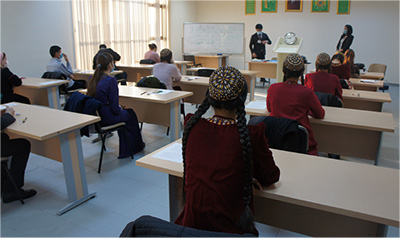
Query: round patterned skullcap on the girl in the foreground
226	83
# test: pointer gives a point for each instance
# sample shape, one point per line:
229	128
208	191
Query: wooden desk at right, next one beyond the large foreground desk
348	132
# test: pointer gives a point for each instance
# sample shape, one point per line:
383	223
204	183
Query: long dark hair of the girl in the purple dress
102	62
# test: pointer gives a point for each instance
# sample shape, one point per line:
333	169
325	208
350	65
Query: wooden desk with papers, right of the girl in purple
160	109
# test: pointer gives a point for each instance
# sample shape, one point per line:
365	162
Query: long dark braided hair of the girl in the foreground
246	221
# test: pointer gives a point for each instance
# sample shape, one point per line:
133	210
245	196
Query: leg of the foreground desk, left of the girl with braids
176	203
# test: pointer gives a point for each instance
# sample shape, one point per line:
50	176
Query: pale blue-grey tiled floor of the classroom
124	191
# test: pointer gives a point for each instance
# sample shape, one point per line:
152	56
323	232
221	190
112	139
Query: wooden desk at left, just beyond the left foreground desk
40	91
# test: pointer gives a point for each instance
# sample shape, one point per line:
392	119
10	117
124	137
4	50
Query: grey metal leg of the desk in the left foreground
74	170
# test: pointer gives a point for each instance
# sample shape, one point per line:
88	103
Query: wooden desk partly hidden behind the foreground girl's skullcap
199	85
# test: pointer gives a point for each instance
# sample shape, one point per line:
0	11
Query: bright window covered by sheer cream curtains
126	26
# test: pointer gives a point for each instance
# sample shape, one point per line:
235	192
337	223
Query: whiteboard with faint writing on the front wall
213	38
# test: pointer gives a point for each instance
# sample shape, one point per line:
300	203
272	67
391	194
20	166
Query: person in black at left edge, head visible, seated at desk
8	82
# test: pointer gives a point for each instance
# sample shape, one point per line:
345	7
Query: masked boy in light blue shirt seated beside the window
55	65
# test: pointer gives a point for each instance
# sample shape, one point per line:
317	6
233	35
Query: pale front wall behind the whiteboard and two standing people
375	25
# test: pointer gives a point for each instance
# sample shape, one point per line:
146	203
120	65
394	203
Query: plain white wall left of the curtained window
29	28
